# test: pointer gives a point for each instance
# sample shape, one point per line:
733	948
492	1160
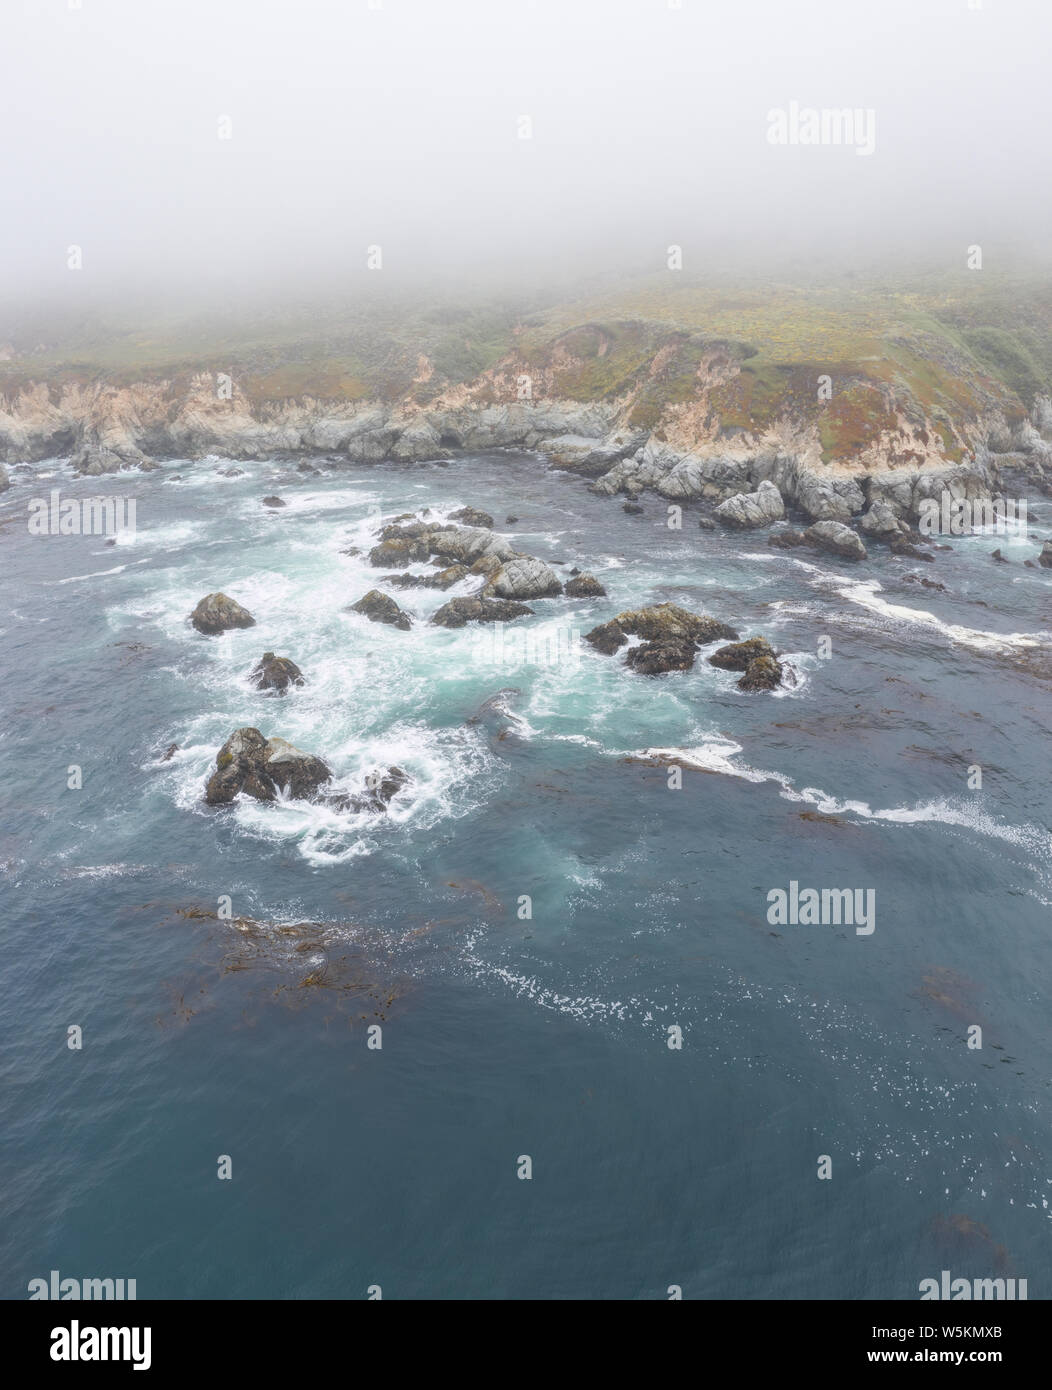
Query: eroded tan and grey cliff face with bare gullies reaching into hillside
686	450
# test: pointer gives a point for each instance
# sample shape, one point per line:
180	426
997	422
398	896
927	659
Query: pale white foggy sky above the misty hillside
400	126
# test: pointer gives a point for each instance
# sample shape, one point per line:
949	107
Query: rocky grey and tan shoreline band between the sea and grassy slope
741	479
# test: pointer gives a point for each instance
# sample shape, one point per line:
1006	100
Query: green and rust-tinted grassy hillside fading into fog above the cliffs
937	350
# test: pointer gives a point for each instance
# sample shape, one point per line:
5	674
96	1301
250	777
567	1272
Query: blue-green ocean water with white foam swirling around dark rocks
537	772
